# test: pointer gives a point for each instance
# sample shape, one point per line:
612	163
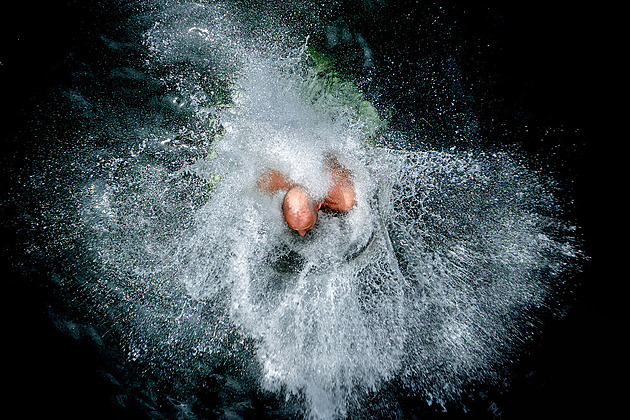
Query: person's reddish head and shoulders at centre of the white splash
299	208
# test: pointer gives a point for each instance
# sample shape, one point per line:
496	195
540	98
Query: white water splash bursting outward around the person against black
433	280
